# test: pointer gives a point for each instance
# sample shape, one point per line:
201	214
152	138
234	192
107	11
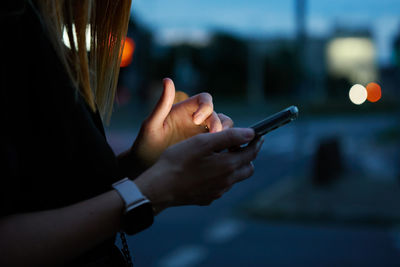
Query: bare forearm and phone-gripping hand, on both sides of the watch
193	172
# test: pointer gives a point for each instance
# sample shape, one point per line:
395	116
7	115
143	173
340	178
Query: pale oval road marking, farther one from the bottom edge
223	231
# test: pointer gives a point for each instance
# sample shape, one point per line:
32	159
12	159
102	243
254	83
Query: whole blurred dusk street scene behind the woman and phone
326	190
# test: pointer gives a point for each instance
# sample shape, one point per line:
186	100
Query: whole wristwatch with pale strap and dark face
138	213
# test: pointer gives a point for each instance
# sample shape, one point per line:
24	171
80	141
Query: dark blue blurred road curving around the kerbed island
218	236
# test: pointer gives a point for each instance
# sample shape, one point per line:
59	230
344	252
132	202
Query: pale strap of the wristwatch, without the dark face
130	194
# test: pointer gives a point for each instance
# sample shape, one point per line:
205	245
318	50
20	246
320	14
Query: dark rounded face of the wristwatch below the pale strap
138	219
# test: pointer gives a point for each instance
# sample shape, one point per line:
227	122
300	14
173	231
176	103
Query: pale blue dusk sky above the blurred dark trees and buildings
195	19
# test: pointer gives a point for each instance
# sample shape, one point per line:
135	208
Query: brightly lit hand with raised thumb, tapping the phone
171	123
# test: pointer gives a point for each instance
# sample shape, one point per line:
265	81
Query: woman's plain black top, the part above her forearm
53	148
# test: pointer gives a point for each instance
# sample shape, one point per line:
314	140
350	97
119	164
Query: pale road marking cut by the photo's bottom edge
187	256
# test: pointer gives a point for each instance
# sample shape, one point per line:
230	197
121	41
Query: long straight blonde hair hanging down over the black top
95	72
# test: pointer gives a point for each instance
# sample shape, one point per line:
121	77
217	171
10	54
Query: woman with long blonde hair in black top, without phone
62	194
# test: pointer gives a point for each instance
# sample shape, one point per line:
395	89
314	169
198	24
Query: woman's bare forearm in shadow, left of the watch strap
56	236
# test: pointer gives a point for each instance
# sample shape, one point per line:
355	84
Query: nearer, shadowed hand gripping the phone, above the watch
200	169
